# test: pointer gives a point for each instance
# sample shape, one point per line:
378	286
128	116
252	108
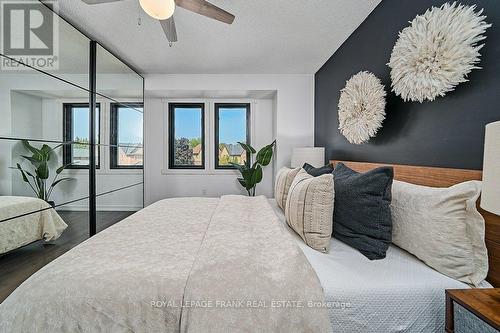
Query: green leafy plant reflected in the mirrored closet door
40	173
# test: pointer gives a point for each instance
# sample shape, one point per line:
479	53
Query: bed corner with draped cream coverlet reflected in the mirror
26	220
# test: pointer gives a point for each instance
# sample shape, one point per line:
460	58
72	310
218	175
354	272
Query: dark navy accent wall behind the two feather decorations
447	132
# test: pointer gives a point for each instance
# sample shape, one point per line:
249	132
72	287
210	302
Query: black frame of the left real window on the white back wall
171	135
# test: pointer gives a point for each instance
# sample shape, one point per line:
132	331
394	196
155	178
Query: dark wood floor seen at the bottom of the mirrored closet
17	265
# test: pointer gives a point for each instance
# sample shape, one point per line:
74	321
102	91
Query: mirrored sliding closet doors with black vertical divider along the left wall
71	145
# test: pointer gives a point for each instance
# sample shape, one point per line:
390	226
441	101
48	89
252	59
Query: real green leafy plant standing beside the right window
251	173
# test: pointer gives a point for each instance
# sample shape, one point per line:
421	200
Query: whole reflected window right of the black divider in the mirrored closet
126	136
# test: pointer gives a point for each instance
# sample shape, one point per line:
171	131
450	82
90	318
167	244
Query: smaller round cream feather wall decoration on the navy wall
361	107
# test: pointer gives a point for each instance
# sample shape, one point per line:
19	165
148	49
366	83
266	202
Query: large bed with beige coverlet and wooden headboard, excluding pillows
134	275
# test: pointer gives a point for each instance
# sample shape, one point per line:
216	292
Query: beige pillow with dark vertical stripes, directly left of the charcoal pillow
309	209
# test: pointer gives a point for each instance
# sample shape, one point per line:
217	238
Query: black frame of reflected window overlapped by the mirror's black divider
68	135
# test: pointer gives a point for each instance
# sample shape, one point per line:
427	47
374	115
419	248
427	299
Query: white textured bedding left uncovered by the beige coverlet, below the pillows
396	294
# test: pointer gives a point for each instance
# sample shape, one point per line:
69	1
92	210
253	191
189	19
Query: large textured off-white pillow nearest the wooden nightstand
442	227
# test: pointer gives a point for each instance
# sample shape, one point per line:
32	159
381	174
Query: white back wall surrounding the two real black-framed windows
292	116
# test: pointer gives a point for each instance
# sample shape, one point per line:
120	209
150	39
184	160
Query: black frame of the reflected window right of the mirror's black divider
113	136
